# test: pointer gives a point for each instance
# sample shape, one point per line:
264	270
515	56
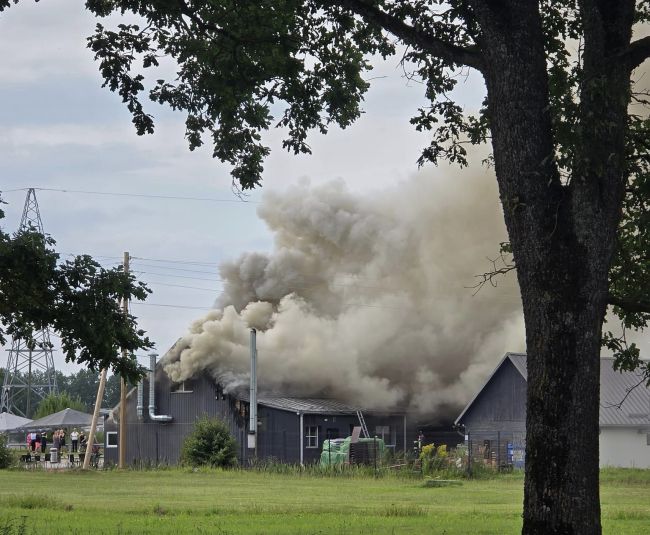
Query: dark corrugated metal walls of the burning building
279	431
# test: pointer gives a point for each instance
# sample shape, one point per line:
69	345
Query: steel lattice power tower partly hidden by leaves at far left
30	374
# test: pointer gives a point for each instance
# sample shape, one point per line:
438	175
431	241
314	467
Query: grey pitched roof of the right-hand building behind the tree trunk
624	397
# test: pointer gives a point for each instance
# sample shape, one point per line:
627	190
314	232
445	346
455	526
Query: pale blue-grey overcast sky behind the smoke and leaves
60	130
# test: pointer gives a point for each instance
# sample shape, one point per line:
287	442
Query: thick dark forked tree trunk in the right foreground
563	237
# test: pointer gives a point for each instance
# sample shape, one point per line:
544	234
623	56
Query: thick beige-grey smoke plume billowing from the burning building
365	298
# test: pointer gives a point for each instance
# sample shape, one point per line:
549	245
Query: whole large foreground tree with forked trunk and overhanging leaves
570	158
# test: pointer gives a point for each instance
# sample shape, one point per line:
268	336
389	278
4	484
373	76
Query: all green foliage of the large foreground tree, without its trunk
301	65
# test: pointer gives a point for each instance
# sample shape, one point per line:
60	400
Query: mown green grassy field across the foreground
247	502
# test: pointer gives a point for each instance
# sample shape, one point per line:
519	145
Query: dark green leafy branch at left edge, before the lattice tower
78	298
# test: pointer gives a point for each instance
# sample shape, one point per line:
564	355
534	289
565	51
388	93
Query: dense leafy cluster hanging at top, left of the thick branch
236	65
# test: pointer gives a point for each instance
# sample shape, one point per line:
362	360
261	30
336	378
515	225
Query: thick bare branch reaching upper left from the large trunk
411	36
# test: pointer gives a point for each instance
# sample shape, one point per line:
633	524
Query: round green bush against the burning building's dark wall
210	444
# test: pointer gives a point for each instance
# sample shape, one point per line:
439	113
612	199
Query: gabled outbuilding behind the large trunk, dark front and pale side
495	419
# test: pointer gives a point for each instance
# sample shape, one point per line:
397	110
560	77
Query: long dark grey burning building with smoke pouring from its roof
290	430
